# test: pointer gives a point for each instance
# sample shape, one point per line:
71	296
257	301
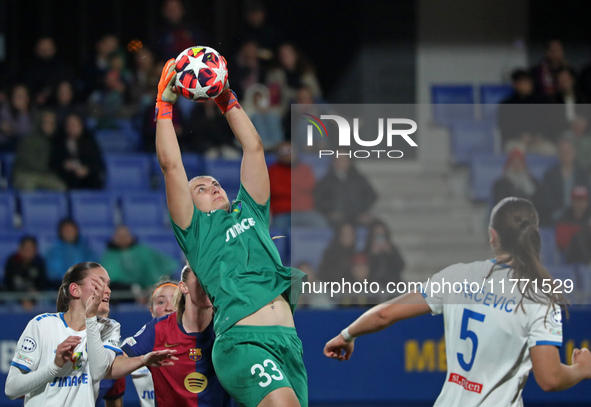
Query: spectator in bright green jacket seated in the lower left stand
131	263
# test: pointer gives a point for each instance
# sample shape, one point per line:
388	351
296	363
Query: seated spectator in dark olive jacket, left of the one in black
31	169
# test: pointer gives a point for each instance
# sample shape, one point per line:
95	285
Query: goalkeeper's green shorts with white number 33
252	361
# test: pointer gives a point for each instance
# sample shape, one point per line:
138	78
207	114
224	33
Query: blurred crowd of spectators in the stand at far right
548	114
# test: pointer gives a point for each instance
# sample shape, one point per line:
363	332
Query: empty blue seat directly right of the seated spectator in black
130	172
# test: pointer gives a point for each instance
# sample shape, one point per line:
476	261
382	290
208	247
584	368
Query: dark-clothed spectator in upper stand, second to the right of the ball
293	71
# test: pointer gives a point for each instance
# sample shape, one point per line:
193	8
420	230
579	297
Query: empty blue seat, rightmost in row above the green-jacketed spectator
144	209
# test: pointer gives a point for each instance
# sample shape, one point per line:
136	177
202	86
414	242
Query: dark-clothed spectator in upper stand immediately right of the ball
247	69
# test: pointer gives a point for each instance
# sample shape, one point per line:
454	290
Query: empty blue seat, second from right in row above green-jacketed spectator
94	208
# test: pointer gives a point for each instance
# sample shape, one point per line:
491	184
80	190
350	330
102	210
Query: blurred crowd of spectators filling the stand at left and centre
50	113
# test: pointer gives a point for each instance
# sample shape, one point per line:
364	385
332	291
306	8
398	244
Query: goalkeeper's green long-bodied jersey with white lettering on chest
236	261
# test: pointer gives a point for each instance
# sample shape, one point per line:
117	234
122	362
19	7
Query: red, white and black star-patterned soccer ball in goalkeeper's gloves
201	73
